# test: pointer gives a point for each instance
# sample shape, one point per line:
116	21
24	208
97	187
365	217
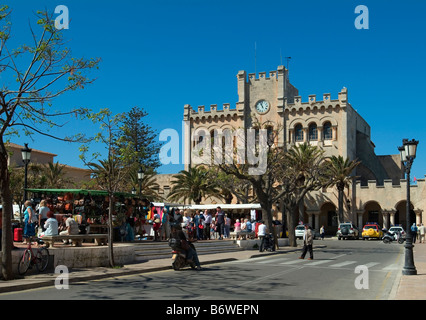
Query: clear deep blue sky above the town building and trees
160	55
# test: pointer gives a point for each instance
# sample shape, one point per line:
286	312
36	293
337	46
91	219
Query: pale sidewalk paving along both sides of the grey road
405	288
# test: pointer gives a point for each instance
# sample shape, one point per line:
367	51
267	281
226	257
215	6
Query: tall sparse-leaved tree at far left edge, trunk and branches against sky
33	76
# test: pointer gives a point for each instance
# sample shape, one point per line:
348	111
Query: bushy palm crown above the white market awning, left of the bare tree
194	185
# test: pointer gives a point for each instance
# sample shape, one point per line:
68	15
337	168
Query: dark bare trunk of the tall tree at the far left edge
7	211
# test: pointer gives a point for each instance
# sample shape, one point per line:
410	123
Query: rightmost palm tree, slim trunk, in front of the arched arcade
340	170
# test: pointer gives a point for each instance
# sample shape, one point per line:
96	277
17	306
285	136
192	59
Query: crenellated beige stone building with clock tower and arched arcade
331	124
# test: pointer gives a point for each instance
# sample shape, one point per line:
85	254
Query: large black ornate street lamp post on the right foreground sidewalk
408	154
